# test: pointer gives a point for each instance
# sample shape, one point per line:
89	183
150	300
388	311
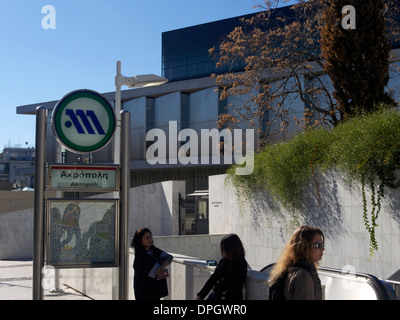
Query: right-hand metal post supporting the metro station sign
123	287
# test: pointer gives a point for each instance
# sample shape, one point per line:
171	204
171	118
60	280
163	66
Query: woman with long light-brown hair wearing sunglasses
297	265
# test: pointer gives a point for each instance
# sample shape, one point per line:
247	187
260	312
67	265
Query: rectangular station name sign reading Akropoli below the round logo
83	177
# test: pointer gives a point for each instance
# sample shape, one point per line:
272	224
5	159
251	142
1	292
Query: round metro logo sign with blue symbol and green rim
83	121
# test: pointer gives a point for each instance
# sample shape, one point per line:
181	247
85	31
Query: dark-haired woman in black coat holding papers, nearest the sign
149	265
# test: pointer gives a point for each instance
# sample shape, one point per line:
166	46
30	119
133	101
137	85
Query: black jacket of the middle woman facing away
228	277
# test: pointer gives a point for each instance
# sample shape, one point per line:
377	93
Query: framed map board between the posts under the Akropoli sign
82	233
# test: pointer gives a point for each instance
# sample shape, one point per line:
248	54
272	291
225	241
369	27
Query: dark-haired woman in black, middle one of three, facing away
230	274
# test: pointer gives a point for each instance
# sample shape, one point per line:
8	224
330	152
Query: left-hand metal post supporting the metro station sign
38	220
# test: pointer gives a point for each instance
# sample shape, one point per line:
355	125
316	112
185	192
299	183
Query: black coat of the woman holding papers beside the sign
145	287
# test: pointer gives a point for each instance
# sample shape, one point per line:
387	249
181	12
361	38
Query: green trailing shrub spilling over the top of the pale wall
365	149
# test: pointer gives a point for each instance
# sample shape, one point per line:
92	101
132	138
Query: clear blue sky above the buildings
39	65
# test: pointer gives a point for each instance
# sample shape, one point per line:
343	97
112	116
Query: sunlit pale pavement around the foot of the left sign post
16	283
